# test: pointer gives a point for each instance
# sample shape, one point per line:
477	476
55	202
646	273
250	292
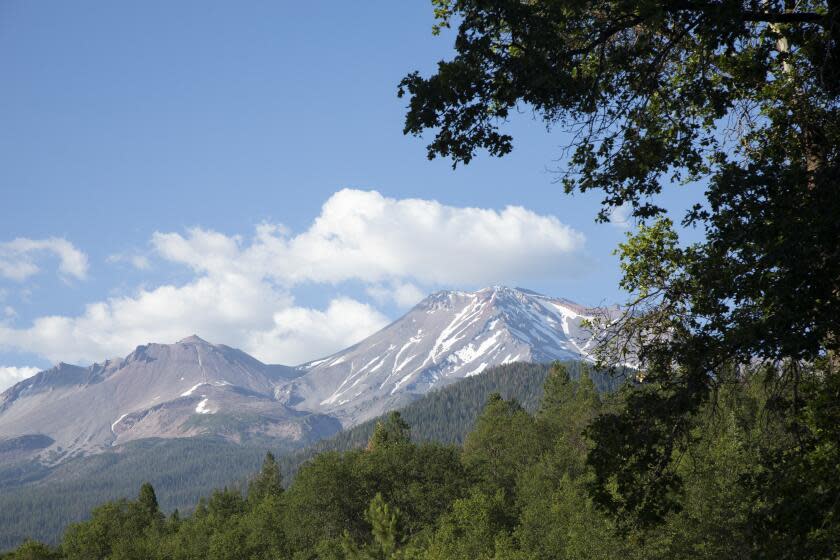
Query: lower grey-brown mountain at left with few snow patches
184	389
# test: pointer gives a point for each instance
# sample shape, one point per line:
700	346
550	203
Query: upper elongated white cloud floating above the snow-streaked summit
365	236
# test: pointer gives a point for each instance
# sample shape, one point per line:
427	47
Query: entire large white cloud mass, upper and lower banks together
241	292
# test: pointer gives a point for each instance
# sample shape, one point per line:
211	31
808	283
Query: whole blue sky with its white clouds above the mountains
142	141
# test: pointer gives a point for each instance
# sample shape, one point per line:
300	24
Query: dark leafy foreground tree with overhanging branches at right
740	98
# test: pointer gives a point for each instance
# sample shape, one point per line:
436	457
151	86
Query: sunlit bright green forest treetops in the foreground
517	488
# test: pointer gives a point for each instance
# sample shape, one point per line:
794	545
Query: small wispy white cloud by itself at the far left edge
18	257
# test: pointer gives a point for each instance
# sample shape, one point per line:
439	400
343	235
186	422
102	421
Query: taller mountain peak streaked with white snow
448	336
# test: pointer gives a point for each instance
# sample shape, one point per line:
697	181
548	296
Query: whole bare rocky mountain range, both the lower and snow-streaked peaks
195	388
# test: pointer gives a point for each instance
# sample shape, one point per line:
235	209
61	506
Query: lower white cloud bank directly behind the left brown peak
232	308
